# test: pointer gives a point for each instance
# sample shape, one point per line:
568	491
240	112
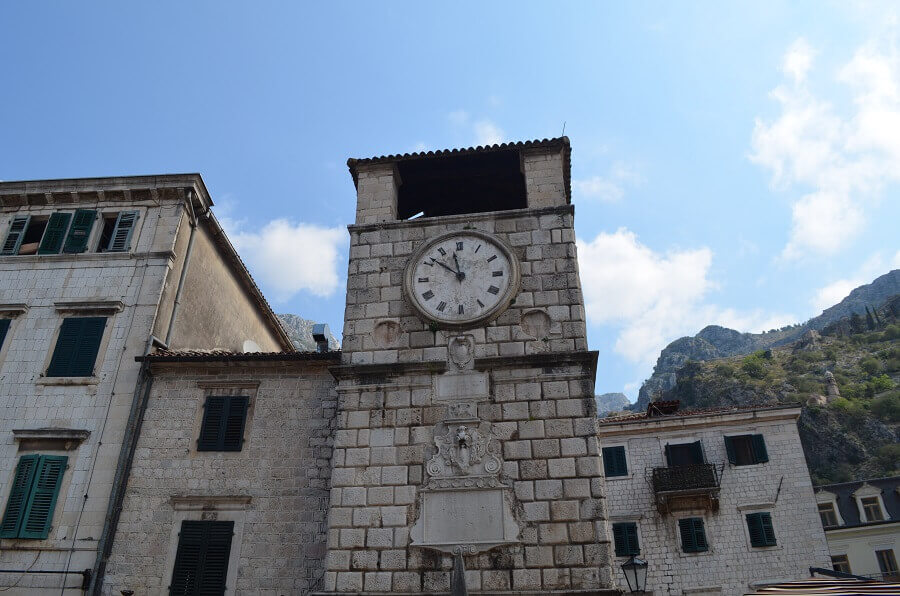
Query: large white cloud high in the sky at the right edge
842	161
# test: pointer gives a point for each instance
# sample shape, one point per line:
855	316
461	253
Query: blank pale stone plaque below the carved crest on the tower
468	520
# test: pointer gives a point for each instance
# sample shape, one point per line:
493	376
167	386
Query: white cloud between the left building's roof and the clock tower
287	258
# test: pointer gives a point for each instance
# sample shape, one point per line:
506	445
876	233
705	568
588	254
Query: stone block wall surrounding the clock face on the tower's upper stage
380	327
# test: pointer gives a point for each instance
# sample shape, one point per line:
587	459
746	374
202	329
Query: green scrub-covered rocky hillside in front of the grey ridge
847	377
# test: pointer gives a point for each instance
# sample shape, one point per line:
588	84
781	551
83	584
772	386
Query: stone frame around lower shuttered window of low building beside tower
208	508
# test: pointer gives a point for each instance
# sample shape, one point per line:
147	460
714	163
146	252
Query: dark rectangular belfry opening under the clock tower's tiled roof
454	185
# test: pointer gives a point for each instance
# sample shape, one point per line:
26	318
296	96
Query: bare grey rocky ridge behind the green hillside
719	342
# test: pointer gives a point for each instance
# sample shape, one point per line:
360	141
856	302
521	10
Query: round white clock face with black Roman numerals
462	278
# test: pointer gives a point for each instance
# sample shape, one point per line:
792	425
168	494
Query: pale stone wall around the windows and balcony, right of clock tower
781	486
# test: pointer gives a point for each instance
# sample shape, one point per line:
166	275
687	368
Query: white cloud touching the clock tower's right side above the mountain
654	298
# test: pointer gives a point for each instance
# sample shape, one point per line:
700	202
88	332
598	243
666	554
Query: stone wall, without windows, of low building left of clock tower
275	488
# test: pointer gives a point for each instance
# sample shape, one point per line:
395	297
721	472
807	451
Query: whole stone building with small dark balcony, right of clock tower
716	501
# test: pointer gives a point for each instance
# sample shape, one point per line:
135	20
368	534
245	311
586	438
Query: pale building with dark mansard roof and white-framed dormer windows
862	525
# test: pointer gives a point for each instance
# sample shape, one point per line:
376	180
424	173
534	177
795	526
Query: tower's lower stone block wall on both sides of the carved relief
543	413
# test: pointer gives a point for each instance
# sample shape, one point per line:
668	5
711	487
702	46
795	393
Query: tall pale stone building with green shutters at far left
93	273
